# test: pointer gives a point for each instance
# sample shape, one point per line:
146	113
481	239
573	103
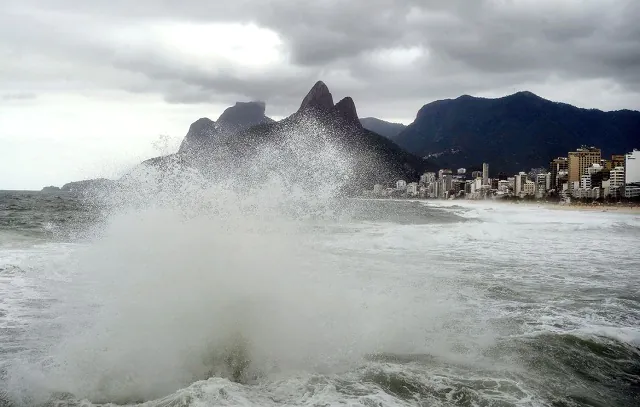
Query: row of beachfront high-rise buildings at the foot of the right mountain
581	174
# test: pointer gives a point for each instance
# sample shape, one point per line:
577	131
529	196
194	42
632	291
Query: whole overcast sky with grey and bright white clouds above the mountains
90	88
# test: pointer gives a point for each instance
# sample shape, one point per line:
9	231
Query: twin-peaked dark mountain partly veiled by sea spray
300	146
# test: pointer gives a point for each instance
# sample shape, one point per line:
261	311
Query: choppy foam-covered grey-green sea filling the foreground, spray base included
375	304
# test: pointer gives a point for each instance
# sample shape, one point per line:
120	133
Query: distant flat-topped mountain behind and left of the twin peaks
235	118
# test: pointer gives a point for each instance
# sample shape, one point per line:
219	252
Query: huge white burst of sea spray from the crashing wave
211	273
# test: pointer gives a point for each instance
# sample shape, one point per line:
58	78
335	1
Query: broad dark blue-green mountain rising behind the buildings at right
514	133
